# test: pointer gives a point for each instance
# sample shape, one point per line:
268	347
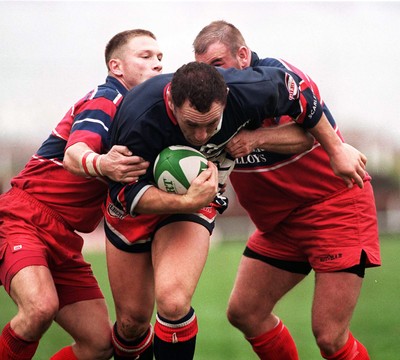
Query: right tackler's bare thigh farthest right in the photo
335	298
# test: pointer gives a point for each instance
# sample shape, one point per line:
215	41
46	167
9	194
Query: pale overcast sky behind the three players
52	52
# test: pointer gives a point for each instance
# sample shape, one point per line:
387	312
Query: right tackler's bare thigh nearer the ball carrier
259	286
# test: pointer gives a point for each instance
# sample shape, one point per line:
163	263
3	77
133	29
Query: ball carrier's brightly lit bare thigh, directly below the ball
179	253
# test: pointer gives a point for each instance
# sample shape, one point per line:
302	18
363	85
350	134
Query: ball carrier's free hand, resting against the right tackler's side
349	164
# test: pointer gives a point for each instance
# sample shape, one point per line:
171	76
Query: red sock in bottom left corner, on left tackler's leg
14	347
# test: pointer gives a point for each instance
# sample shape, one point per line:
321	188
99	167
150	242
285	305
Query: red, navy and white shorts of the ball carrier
135	233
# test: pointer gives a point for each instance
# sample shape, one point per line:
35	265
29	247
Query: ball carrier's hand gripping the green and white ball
203	189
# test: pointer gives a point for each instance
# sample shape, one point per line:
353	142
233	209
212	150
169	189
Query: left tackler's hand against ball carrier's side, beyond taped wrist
120	165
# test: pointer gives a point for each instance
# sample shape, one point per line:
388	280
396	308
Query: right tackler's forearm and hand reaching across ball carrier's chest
283	139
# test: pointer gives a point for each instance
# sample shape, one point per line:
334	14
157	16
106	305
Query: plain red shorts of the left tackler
33	234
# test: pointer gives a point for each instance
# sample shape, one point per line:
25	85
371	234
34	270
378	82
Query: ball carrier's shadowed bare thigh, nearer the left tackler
131	280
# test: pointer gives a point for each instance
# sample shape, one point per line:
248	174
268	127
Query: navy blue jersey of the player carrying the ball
145	124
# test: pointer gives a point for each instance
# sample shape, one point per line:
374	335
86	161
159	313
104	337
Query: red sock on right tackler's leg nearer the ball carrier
276	344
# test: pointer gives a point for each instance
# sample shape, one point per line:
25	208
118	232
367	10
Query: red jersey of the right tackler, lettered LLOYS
270	186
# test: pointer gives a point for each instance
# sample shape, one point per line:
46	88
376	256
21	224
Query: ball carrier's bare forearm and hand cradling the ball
200	193
